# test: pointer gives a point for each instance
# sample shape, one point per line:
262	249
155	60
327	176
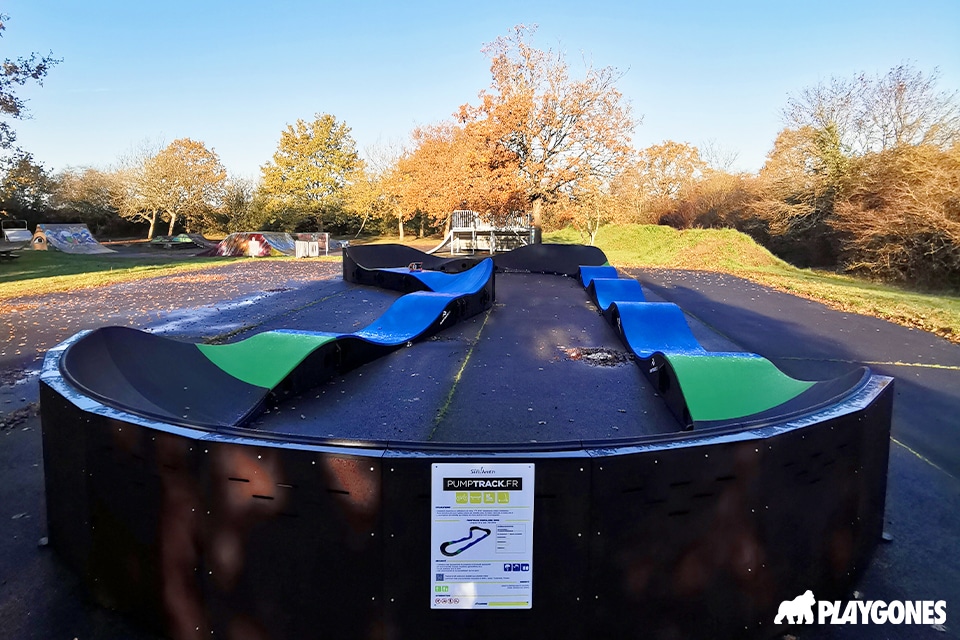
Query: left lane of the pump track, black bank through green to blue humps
215	386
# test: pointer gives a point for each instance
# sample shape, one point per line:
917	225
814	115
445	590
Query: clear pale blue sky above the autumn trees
233	74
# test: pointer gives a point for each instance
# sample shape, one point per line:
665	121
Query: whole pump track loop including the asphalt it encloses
728	487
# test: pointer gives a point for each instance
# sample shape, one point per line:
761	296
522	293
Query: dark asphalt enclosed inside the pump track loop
543	354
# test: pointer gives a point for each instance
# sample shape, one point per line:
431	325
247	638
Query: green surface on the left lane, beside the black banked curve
265	359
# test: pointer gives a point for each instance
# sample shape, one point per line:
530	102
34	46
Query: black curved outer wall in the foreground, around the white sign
697	537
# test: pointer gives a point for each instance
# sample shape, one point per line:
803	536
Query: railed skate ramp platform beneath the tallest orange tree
471	232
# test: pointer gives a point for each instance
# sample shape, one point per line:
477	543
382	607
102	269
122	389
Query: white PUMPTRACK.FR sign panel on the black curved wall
482	536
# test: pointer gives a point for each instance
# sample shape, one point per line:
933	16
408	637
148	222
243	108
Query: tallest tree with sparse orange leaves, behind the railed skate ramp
556	129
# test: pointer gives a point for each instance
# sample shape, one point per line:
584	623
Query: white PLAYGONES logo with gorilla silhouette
800	611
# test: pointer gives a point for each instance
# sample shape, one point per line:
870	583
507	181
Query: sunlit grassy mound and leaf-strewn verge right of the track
728	251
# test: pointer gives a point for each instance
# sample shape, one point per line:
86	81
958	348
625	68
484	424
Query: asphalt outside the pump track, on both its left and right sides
39	599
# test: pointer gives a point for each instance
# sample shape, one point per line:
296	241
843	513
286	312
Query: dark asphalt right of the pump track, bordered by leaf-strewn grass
807	339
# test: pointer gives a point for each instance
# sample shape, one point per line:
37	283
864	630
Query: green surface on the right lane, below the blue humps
730	386
